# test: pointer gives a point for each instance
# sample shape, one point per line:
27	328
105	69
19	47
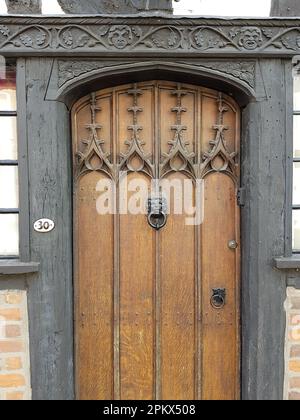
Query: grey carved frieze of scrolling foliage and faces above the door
147	35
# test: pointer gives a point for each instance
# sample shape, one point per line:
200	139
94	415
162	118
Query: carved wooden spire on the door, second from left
135	160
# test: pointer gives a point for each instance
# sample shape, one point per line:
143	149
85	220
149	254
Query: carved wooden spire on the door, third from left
179	158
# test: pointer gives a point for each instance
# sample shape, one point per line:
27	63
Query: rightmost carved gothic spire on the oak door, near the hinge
219	159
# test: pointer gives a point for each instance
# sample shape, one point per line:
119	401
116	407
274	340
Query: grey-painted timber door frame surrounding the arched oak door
61	75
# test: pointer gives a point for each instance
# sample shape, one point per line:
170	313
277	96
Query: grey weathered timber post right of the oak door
263	289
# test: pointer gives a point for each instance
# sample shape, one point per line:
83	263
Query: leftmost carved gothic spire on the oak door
93	158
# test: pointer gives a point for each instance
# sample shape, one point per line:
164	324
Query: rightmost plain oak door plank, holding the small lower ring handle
220	335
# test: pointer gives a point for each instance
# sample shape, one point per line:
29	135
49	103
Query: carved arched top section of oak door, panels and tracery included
151	150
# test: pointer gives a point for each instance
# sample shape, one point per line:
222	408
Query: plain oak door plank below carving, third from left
178	308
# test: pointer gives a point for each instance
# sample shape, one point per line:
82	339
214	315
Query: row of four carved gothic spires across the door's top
93	157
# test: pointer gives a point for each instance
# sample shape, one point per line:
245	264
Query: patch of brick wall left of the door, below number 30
14	346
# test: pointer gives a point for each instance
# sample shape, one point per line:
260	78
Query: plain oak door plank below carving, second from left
137	306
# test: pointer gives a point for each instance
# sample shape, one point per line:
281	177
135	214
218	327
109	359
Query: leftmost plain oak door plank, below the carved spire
93	294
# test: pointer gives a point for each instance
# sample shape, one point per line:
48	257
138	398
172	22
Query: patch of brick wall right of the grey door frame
292	351
